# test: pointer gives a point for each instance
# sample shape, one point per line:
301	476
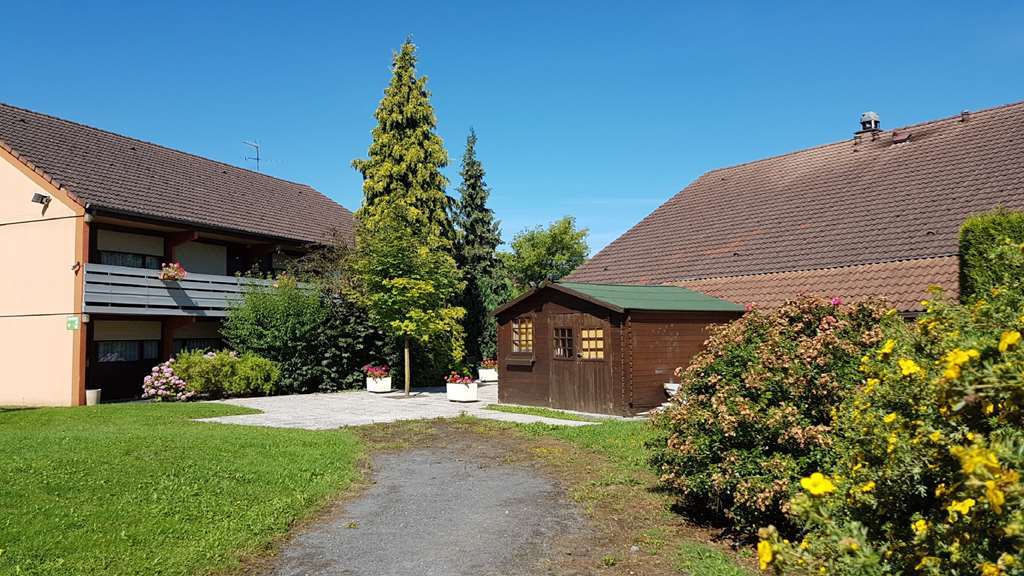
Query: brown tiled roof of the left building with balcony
123	175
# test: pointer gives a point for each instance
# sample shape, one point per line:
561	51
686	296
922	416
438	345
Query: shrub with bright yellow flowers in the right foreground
930	451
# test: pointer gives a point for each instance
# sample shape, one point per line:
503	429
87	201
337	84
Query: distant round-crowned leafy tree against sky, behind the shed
540	255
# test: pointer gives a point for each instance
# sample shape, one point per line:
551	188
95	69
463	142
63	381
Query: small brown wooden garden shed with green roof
604	349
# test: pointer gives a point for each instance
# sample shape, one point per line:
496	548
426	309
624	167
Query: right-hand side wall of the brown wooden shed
658	344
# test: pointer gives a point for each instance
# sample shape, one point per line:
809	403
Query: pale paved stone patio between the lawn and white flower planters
355	408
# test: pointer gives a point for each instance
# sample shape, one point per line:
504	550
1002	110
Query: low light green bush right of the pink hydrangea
221	375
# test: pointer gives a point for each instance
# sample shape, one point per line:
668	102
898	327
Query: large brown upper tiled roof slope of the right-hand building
866	200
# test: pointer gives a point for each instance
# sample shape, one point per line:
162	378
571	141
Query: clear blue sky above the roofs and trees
603	111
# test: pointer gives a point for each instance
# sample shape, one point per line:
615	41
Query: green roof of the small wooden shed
653	298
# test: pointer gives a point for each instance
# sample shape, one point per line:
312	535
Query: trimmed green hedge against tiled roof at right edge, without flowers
980	272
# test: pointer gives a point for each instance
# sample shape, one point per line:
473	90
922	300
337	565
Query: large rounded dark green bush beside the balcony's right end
319	340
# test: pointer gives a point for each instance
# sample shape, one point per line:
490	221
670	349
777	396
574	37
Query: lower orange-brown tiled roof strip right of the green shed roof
904	283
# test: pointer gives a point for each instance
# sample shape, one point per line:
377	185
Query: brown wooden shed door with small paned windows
581	364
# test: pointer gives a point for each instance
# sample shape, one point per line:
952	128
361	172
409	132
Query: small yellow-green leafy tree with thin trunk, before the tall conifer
407	280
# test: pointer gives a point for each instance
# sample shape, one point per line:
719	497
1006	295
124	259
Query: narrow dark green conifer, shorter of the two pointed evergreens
479	237
